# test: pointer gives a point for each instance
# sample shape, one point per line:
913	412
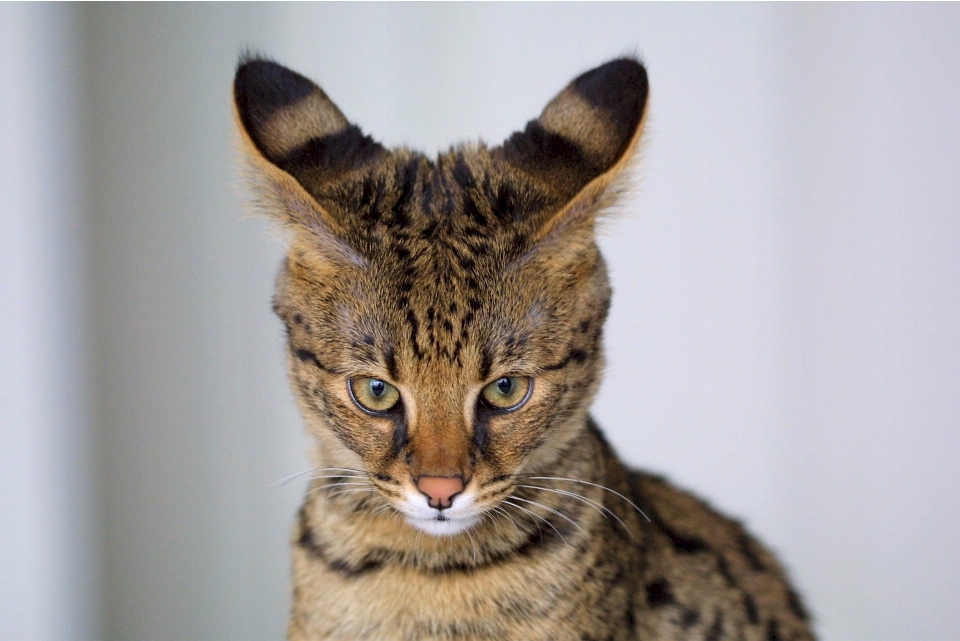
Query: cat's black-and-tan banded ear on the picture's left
298	143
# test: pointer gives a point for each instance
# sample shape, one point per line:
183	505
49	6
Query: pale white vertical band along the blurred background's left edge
48	577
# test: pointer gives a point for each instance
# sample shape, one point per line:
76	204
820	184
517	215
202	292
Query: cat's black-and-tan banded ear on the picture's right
582	141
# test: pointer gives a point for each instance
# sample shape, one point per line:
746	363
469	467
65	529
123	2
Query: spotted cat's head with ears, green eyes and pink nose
444	316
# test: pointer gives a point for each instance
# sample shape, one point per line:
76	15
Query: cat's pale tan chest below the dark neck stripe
514	600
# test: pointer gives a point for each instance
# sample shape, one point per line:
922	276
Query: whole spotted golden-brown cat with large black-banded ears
444	320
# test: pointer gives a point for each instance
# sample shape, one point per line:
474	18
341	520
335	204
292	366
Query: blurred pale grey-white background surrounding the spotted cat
783	340
